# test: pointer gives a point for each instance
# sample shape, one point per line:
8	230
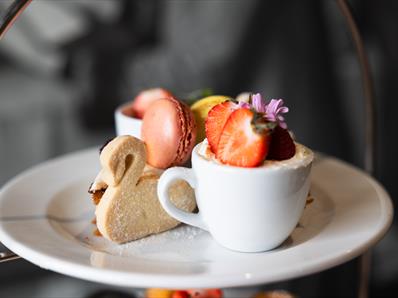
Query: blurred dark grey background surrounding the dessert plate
66	64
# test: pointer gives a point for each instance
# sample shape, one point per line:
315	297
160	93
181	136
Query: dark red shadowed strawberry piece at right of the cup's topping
282	146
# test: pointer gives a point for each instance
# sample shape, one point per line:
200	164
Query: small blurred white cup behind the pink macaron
127	125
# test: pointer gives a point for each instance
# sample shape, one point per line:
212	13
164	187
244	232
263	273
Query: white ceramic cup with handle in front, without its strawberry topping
244	209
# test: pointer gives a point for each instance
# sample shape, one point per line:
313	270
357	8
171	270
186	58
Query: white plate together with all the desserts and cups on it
216	194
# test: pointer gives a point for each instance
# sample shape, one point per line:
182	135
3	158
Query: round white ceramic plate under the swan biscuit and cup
46	213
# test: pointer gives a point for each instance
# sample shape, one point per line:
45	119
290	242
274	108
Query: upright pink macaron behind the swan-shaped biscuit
169	132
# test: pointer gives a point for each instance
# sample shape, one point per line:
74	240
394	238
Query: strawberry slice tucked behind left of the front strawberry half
215	122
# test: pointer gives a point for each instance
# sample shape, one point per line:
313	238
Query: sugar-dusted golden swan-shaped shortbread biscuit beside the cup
129	208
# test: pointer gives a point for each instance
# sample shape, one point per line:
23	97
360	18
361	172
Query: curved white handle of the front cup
165	181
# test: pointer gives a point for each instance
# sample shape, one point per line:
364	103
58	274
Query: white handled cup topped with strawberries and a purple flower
250	171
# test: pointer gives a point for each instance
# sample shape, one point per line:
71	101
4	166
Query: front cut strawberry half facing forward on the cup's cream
240	145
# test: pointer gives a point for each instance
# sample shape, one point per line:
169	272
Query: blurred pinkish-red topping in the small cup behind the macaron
144	99
